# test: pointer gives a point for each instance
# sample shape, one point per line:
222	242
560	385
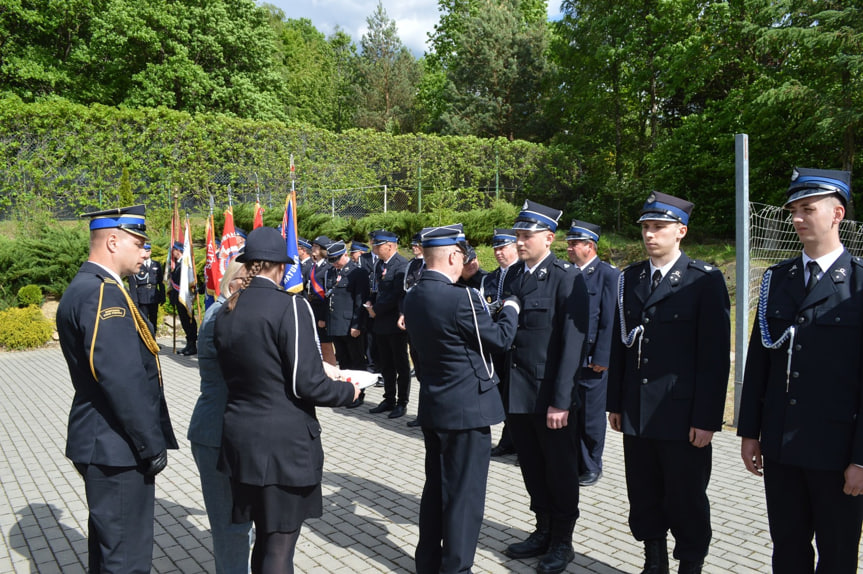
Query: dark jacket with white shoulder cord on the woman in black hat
270	432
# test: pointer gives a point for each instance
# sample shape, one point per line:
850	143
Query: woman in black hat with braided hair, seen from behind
271	443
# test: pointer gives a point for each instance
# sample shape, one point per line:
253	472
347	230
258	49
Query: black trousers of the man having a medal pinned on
549	463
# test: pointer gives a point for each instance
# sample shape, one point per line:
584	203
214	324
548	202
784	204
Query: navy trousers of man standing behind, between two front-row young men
592	392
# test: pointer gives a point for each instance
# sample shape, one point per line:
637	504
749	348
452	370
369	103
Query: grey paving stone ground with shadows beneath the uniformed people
373	477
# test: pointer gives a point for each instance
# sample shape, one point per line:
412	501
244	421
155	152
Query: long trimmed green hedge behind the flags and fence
56	155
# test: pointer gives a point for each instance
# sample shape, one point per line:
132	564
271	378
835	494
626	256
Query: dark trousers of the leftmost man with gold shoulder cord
121	501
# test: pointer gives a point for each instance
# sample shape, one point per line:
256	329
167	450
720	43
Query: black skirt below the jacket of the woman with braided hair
275	508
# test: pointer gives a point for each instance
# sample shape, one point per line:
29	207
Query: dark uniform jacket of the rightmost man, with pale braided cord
811	419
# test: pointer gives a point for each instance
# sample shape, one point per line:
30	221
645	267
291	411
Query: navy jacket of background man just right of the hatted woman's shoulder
349	289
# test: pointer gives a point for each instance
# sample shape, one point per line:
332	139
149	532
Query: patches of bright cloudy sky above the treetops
415	19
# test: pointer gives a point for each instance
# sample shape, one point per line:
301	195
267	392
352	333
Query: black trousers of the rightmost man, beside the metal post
802	503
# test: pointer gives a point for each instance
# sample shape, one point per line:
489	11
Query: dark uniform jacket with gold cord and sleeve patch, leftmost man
119	416
